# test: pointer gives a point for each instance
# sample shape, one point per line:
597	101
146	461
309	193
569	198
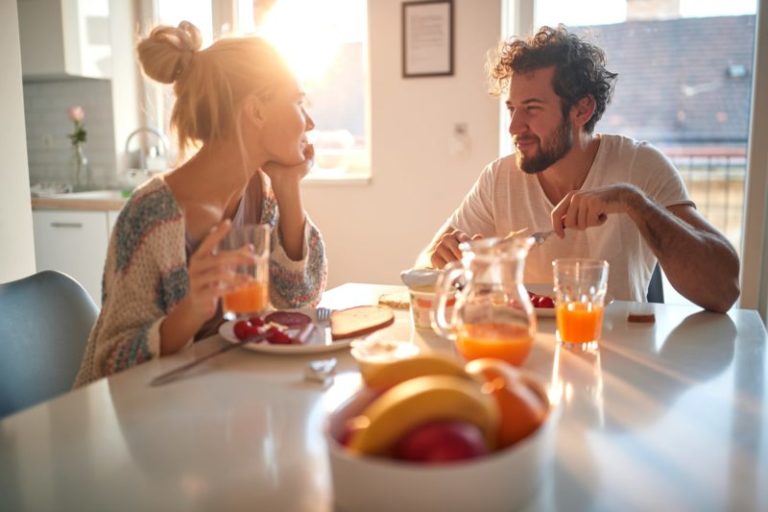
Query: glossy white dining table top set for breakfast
668	416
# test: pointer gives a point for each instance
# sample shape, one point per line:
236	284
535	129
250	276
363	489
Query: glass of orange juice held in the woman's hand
253	296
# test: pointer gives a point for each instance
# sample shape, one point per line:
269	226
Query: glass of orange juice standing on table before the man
580	286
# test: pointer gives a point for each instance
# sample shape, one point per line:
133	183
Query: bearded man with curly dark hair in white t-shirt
606	196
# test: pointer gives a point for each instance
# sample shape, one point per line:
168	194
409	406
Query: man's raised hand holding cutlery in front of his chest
581	209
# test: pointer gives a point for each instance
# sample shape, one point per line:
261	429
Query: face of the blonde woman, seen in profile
285	127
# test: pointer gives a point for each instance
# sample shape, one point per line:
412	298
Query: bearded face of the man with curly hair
540	132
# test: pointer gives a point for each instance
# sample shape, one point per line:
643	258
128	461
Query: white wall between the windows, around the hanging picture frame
374	230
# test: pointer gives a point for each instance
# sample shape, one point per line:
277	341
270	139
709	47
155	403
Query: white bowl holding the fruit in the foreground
504	480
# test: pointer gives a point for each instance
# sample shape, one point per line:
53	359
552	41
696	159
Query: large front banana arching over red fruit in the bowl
421	400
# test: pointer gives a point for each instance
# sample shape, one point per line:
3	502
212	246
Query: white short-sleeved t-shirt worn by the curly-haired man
504	199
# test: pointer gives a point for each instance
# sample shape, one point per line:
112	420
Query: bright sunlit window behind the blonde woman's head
325	43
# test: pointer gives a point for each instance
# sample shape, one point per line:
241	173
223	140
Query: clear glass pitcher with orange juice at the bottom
493	315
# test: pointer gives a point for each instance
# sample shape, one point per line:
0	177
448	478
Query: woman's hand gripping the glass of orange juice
212	274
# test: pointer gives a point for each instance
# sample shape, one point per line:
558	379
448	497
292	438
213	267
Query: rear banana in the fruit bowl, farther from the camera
387	375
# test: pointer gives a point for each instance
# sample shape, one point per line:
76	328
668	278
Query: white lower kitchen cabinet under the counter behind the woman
75	243
